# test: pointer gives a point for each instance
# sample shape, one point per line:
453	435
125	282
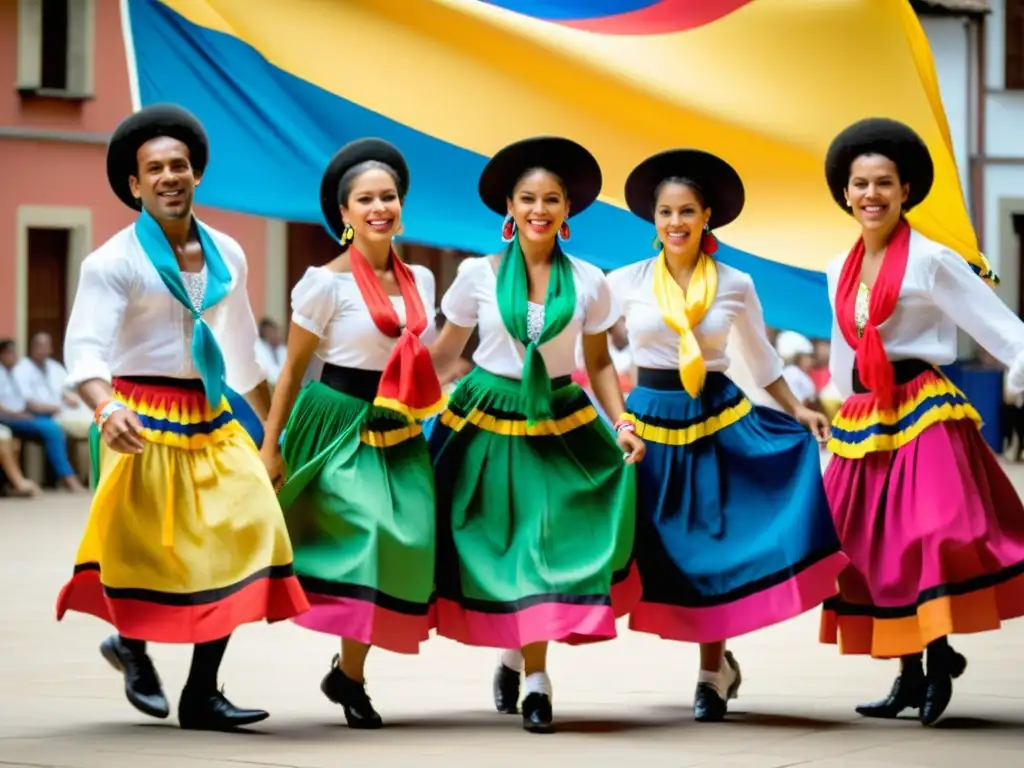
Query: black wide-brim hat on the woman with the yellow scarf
718	182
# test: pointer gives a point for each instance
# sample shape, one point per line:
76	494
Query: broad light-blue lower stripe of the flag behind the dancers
272	135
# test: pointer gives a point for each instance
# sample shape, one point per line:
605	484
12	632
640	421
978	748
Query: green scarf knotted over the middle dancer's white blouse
560	307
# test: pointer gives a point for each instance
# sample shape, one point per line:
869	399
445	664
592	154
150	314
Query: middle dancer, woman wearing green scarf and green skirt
535	496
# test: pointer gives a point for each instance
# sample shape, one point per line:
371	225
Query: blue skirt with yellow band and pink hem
734	528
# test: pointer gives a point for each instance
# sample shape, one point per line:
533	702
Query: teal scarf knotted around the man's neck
208	359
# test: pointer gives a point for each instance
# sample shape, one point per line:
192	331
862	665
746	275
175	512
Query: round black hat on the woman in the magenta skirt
889	139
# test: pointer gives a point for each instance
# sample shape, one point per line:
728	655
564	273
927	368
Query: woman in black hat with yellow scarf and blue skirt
734	530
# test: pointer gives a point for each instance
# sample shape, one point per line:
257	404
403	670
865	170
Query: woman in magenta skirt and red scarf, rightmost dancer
932	526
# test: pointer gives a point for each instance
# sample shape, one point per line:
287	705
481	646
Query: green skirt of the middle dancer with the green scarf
535	526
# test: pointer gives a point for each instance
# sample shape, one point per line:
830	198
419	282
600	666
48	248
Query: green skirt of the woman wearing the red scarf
360	508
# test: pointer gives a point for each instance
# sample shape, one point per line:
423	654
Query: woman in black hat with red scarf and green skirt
358	489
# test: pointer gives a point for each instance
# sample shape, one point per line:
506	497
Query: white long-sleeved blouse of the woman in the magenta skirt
940	293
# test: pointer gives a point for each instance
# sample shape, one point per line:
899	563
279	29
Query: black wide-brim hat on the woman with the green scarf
573	163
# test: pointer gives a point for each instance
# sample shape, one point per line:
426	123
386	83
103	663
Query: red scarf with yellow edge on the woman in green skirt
409	383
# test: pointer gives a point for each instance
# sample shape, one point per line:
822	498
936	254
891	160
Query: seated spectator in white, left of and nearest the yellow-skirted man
41	381
